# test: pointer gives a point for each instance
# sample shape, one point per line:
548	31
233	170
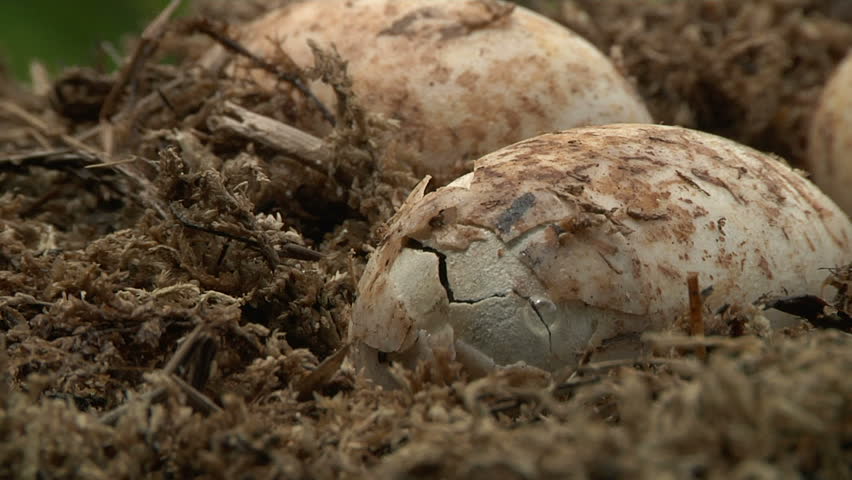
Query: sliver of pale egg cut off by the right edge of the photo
830	138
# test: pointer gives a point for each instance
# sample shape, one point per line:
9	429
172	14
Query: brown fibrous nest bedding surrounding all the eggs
176	281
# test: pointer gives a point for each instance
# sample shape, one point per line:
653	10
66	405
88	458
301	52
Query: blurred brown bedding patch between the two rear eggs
749	71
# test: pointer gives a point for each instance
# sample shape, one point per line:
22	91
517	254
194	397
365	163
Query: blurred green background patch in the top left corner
68	32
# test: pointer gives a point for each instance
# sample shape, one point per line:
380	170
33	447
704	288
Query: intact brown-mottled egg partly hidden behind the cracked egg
462	77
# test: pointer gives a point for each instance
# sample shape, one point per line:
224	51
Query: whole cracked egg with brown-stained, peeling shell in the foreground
580	241
